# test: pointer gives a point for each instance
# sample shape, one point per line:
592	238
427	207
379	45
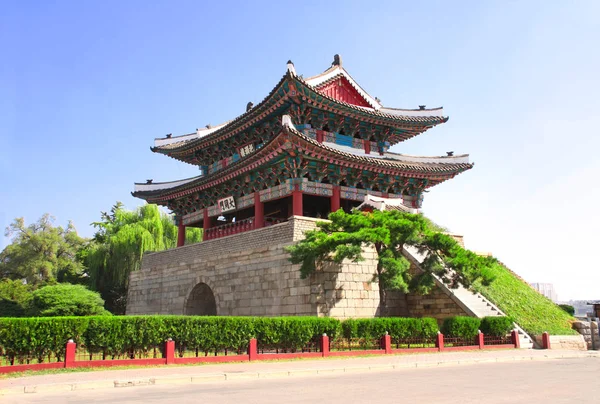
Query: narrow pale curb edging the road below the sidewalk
221	377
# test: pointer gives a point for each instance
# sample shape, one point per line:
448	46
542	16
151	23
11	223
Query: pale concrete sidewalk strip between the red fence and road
254	370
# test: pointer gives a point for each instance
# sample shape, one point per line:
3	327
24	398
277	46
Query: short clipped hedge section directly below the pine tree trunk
396	327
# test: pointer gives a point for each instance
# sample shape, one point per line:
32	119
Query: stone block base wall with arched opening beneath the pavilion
249	274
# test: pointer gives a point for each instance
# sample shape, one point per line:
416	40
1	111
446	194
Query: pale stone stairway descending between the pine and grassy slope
471	302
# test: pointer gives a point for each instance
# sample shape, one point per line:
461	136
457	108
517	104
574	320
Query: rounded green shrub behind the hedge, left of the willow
66	300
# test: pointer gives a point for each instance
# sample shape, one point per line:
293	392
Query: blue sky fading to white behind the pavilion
87	86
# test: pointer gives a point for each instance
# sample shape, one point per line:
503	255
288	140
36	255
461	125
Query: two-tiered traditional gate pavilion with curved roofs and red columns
312	146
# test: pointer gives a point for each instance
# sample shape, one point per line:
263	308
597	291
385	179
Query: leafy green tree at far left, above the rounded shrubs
42	253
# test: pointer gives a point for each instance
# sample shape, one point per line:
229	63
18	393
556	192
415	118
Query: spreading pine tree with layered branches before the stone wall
345	235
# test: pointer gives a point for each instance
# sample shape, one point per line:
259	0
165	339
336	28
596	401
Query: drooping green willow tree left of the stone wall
121	239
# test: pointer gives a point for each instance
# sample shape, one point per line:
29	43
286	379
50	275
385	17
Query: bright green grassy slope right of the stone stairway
532	311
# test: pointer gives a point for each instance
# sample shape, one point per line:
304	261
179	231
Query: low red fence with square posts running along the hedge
172	353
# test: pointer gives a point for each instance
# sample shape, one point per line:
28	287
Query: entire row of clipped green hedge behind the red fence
43	339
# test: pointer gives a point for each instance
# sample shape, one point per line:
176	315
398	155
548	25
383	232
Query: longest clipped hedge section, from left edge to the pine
43	339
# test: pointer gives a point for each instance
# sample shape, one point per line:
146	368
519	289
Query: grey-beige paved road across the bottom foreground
554	381
